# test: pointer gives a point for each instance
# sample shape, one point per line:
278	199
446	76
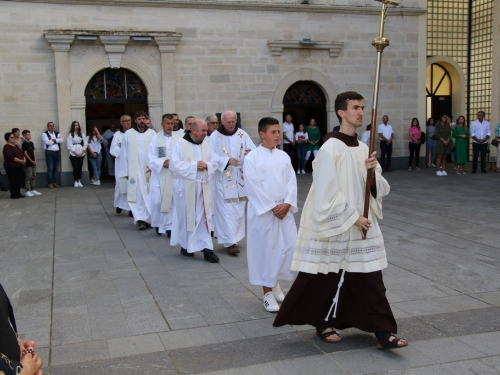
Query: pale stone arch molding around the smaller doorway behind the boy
304	74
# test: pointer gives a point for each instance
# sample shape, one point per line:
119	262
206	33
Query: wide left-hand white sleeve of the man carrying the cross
332	214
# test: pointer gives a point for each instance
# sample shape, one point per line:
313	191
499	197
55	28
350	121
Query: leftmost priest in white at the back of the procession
120	197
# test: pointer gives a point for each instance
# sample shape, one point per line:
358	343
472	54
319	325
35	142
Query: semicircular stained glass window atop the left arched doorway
116	85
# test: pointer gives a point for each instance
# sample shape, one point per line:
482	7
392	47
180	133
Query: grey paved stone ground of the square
100	297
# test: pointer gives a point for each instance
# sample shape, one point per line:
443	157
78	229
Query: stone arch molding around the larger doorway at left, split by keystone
82	78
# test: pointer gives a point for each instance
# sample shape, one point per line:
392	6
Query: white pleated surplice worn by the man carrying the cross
328	240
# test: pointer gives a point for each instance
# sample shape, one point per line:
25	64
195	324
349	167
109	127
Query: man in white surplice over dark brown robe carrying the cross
340	283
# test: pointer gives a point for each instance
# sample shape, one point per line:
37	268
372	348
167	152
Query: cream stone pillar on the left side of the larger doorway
60	45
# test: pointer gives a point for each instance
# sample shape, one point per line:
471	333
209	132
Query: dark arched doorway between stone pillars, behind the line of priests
109	94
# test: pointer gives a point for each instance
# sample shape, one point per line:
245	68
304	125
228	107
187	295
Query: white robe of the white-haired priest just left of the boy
229	194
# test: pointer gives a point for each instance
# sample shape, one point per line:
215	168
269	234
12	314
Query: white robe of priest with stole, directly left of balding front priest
161	187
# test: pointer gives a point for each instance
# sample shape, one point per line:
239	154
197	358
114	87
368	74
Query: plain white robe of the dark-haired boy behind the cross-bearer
270	180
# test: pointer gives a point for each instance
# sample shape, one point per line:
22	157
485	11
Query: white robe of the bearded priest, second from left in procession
133	164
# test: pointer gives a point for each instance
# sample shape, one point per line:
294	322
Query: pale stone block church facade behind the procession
201	57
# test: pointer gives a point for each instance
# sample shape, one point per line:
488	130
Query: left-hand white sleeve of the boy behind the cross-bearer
257	196
